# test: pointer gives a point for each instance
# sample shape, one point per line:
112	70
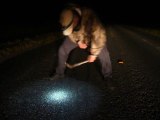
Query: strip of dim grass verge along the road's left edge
9	50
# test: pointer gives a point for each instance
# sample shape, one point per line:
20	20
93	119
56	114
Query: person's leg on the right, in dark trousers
105	61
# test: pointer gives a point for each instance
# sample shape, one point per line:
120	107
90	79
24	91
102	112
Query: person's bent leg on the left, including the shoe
63	53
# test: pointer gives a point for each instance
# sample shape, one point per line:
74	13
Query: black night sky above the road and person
44	15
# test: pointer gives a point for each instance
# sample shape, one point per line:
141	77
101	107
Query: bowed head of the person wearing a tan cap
70	20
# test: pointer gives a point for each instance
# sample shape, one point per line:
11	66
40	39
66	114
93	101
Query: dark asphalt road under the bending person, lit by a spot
132	94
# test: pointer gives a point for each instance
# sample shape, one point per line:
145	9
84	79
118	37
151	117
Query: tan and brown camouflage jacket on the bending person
91	32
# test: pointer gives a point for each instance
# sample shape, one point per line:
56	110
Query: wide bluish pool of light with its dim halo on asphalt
61	100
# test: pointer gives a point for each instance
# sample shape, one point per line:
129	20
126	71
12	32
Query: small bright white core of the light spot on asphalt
58	96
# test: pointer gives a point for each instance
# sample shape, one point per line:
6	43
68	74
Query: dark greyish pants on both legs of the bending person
67	46
